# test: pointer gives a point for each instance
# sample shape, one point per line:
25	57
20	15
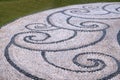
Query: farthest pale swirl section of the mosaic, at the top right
109	11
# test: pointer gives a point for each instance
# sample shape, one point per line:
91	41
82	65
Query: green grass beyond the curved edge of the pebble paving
13	9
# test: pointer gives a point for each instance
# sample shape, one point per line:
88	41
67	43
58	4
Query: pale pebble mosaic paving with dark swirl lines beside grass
78	42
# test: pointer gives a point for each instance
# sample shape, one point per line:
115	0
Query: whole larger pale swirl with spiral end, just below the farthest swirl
73	23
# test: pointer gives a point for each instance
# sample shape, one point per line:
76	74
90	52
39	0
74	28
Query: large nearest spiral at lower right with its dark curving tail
88	62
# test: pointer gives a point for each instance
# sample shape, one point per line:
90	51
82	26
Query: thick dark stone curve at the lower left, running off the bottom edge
14	65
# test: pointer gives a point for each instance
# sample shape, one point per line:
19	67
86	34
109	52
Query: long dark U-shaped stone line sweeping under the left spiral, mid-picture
83	46
